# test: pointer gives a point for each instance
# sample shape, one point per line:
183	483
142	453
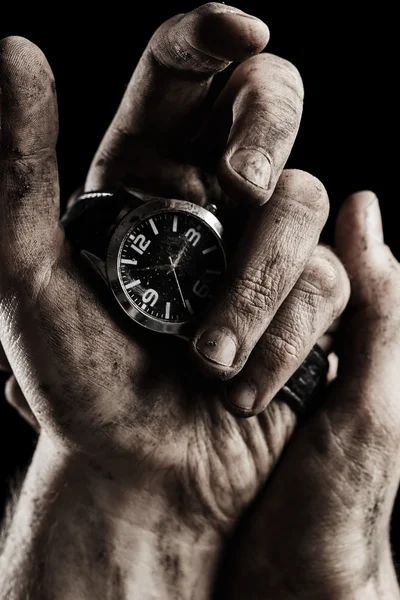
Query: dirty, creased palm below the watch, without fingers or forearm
114	391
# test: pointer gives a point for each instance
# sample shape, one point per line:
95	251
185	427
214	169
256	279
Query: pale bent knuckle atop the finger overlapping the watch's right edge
301	187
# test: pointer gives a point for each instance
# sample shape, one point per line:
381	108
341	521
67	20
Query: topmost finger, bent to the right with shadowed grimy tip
162	106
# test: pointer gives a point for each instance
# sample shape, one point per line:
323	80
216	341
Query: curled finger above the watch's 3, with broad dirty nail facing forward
265	98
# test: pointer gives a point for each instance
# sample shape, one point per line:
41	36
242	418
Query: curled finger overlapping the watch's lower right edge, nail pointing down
278	242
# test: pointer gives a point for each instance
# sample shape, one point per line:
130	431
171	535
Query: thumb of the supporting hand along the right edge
363	406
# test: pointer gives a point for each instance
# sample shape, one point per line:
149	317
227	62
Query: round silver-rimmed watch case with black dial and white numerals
165	263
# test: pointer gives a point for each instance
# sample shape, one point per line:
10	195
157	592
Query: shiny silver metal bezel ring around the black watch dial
146	210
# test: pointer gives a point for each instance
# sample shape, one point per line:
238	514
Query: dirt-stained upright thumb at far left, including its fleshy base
46	303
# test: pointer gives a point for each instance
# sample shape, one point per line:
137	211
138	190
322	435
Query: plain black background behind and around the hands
348	136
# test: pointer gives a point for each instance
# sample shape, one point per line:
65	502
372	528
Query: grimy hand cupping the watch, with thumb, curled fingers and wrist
126	421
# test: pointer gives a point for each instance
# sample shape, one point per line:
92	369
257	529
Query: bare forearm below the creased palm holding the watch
65	543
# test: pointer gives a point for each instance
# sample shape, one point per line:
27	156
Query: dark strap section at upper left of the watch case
90	222
